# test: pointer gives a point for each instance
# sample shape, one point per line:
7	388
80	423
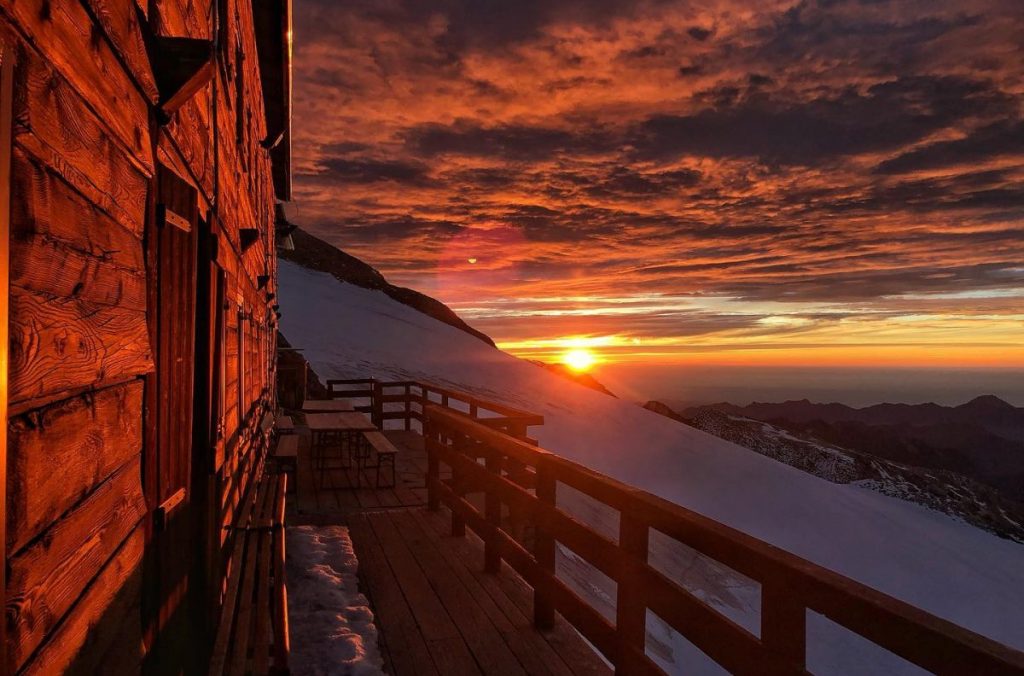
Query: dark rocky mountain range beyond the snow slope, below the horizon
966	460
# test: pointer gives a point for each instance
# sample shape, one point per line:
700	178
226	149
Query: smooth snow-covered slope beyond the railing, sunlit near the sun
922	557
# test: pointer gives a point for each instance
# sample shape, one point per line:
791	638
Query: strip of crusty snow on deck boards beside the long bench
332	627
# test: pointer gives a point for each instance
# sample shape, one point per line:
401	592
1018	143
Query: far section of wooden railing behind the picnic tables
405	401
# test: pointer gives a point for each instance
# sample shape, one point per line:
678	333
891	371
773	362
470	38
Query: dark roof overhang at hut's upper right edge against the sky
274	46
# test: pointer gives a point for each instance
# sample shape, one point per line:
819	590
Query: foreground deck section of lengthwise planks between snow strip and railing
438	612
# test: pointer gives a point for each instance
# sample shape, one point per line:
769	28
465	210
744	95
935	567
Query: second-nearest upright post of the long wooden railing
631	612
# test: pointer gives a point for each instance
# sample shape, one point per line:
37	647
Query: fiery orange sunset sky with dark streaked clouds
815	184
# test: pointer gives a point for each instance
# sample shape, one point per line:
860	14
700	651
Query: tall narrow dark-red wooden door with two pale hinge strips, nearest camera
175	544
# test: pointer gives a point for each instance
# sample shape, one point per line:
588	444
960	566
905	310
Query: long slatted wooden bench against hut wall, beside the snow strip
252	638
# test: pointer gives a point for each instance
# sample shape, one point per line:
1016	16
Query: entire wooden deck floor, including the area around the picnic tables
436	610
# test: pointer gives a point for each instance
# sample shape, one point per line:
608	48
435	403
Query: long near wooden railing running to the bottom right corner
525	479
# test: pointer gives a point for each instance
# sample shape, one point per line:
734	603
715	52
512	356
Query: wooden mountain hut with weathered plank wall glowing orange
144	148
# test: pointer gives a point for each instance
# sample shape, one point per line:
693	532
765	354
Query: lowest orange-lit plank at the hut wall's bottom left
92	627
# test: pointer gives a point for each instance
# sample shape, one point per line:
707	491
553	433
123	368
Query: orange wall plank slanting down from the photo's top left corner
64	32
